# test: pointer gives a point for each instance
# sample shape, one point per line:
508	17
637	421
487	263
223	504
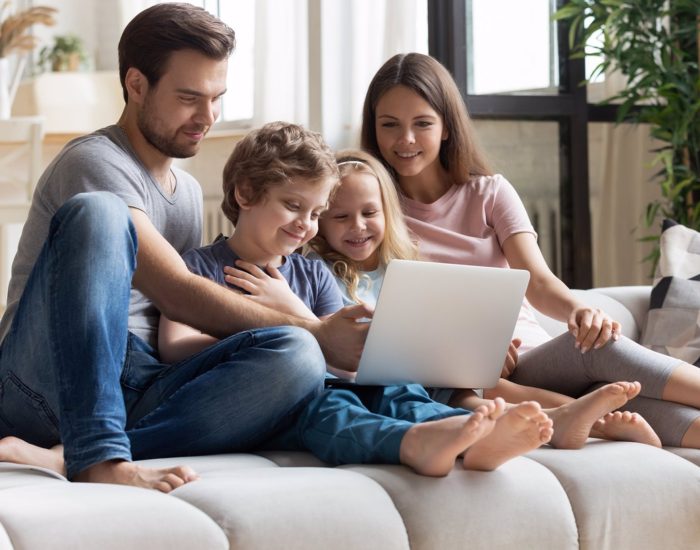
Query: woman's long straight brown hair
460	154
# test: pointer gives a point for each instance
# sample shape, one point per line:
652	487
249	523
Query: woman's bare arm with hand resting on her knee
591	327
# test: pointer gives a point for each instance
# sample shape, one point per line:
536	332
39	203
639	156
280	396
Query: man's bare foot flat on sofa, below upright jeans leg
122	472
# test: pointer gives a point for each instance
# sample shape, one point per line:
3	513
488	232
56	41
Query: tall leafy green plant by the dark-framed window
655	44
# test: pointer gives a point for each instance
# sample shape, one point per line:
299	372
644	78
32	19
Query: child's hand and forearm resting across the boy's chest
268	288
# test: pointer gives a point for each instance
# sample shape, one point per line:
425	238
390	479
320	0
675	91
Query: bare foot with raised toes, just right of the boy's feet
573	421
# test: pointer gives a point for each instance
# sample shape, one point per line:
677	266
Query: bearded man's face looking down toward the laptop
179	110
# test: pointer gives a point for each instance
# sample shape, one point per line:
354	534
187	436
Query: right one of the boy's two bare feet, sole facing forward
522	428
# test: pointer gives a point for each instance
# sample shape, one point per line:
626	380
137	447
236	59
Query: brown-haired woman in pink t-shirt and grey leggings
415	121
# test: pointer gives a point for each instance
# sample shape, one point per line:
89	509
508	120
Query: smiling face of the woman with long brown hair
409	133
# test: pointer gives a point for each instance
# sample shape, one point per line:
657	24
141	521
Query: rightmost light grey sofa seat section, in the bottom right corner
622	493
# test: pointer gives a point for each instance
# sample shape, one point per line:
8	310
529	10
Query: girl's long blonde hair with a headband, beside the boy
397	243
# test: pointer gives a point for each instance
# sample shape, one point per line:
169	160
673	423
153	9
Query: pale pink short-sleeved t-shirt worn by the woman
468	225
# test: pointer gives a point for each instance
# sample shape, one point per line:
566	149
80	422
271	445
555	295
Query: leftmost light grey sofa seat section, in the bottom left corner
44	512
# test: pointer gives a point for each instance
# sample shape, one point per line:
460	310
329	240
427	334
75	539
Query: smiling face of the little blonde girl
353	225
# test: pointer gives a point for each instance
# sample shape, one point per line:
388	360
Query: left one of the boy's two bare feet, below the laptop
431	448
